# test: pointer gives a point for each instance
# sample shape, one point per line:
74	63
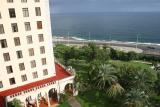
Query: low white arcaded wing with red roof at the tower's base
35	91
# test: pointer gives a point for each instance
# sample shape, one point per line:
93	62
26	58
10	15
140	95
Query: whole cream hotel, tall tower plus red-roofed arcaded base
28	71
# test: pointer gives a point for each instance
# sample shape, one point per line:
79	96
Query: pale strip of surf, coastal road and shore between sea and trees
148	48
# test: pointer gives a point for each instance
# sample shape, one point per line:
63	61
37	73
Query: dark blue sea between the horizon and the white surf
104	26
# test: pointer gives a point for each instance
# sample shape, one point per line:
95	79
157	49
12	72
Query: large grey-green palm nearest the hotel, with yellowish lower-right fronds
107	80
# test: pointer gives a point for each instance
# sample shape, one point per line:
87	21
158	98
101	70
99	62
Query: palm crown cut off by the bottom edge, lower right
136	98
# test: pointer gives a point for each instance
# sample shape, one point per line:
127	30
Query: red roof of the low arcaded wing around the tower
61	73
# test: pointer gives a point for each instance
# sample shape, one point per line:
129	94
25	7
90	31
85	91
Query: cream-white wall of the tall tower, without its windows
9	35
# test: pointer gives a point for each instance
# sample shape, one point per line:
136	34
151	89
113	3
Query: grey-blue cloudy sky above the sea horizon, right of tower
76	6
